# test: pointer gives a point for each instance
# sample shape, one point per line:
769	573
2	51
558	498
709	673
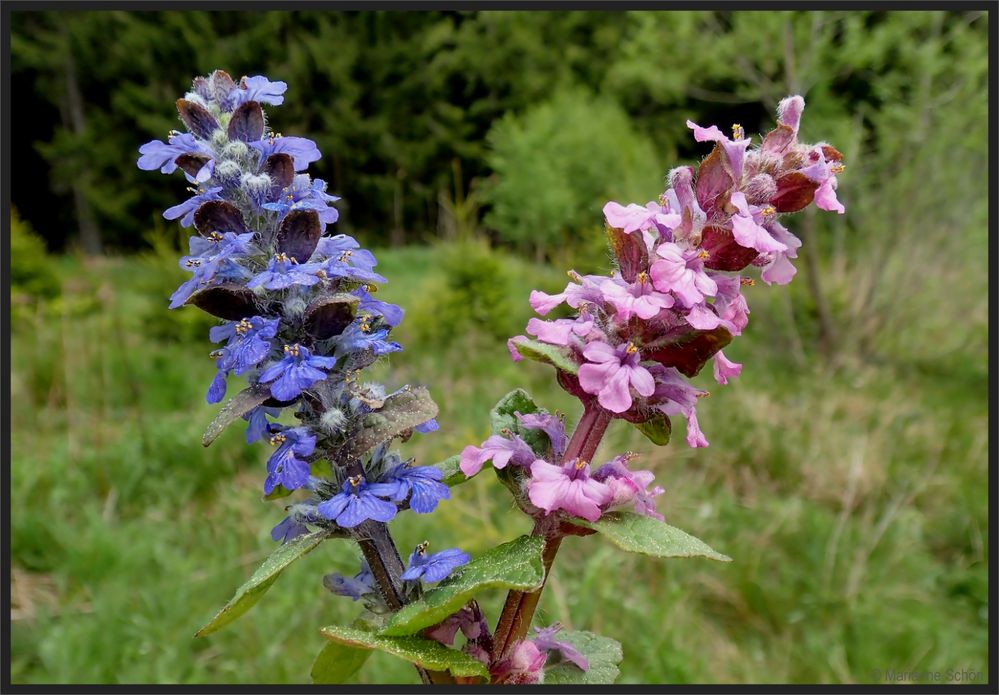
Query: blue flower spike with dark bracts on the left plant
297	315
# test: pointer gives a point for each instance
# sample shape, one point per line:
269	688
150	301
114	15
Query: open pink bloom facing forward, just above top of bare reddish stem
612	372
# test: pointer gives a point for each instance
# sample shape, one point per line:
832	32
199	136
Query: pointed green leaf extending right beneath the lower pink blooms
643	534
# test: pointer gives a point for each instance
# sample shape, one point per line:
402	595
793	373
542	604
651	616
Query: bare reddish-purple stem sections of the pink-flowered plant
520	606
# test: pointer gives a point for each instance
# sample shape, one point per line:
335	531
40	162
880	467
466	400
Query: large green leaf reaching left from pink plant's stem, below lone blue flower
515	565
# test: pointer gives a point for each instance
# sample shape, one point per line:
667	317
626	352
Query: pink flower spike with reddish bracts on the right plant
673	302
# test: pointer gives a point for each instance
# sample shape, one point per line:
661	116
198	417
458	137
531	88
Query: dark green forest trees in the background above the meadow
435	122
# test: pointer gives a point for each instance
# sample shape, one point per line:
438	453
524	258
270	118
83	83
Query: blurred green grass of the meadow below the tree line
852	498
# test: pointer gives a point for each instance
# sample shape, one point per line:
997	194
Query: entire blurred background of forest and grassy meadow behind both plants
847	472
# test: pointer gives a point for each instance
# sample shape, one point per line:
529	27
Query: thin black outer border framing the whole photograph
420	5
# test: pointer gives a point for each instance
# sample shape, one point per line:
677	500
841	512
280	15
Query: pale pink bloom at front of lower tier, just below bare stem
567	487
